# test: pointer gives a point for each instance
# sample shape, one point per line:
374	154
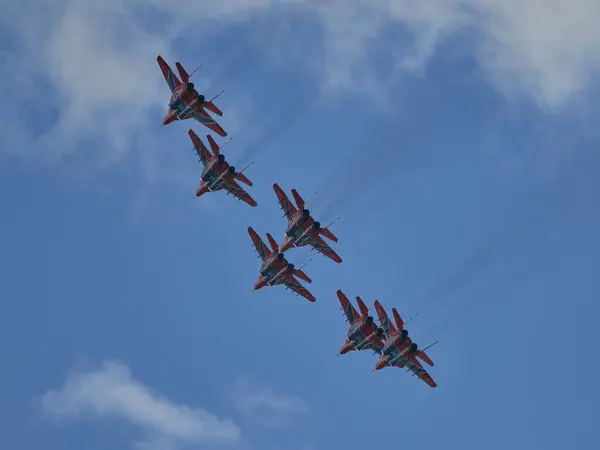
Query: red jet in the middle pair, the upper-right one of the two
302	229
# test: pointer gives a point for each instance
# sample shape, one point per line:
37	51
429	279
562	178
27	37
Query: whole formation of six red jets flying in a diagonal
388	340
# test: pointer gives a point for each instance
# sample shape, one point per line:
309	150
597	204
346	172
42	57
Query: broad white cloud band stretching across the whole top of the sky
90	65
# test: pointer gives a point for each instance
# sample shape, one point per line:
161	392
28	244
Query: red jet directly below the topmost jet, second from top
217	174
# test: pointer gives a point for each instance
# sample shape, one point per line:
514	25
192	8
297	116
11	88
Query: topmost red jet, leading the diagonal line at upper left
186	102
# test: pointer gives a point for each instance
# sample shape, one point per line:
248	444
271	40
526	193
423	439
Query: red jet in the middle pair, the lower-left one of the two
275	269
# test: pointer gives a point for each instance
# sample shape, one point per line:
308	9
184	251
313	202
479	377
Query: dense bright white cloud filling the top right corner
545	47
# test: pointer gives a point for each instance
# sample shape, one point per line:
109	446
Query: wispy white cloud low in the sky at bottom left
112	392
